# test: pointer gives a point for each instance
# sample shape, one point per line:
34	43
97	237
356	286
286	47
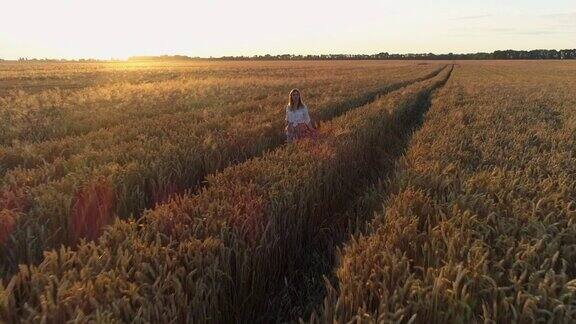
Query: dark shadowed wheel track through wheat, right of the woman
304	290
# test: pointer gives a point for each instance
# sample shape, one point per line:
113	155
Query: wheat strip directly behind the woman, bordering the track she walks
75	198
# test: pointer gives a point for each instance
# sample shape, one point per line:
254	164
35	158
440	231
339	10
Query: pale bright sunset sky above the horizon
106	29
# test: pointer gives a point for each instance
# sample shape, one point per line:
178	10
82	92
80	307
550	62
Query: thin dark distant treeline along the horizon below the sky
540	54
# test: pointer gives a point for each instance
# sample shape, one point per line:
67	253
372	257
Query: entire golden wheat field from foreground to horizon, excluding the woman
436	191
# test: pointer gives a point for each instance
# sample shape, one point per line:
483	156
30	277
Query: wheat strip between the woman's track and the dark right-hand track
221	252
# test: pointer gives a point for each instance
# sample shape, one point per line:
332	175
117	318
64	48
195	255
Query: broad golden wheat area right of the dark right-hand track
481	224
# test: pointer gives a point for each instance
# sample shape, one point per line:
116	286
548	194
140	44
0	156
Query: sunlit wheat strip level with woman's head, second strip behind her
56	113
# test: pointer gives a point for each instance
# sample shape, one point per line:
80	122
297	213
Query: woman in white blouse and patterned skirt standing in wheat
298	122
